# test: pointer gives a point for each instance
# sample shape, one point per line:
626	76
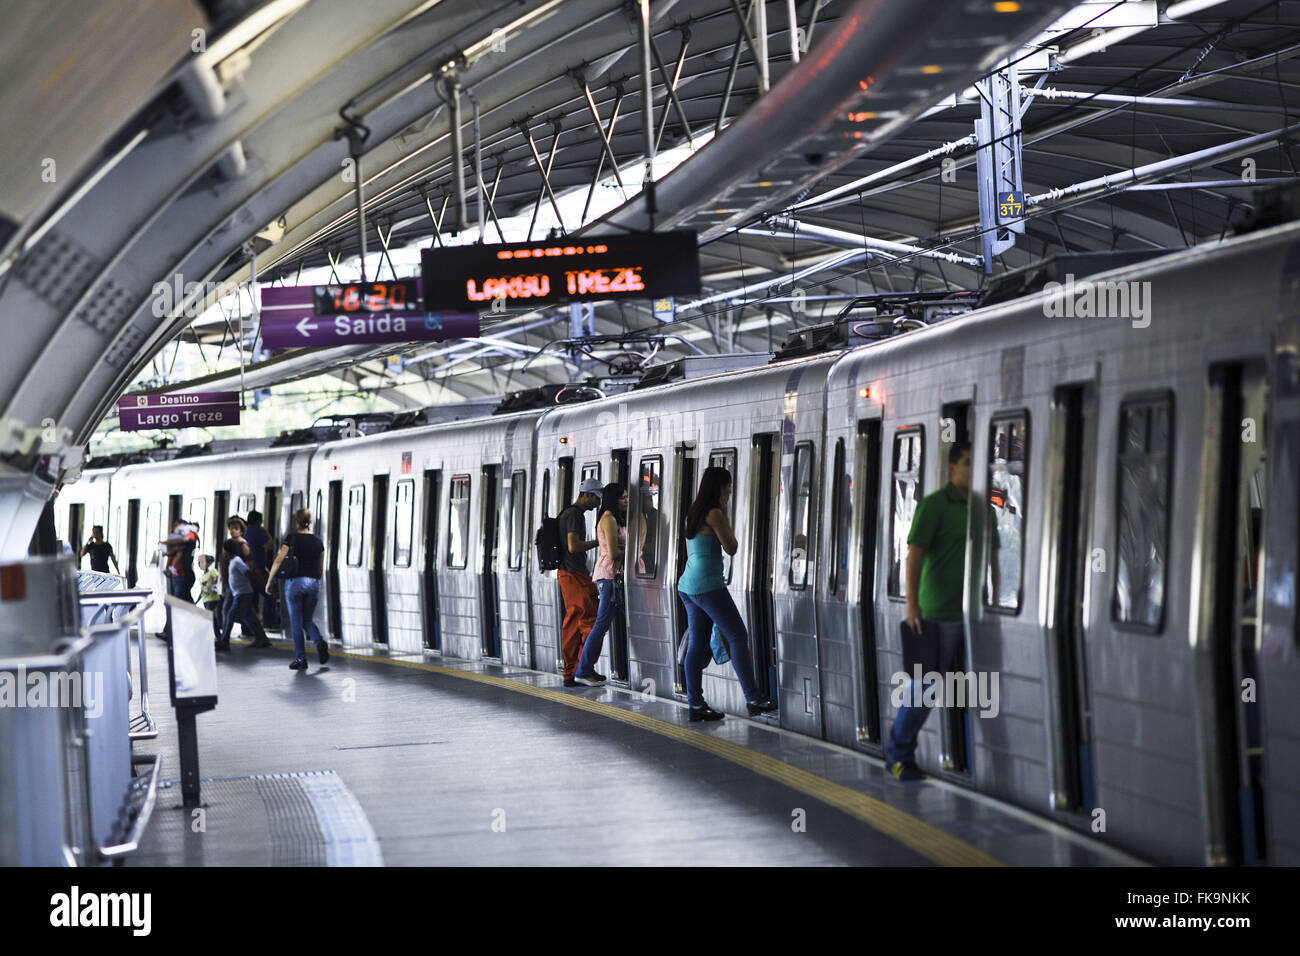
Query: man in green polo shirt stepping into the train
937	565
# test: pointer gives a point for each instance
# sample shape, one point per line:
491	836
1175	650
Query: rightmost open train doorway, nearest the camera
1236	752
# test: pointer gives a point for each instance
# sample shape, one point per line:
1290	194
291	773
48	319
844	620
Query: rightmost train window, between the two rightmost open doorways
1143	524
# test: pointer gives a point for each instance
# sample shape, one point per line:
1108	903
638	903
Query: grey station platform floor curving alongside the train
397	759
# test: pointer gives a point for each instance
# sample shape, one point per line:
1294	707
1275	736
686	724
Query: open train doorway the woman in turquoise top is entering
765	492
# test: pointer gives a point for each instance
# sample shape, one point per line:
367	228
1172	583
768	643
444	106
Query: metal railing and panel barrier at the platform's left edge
71	791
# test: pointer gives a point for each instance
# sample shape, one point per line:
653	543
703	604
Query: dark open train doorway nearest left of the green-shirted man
868	507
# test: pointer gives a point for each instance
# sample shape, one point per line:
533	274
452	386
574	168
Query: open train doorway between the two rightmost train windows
1071	479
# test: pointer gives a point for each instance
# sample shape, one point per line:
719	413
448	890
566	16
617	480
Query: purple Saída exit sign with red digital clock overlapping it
292	317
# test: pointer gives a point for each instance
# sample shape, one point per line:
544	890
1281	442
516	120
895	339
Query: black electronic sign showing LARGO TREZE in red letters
592	270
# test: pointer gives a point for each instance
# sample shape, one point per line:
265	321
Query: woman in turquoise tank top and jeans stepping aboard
704	592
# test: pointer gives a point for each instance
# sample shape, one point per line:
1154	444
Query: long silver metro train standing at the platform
1130	569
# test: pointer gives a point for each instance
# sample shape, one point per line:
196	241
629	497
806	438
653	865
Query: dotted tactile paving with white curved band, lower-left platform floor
311	819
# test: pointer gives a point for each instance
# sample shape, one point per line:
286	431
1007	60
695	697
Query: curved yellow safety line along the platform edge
916	834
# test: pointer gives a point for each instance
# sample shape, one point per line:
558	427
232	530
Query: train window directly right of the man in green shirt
1004	547
